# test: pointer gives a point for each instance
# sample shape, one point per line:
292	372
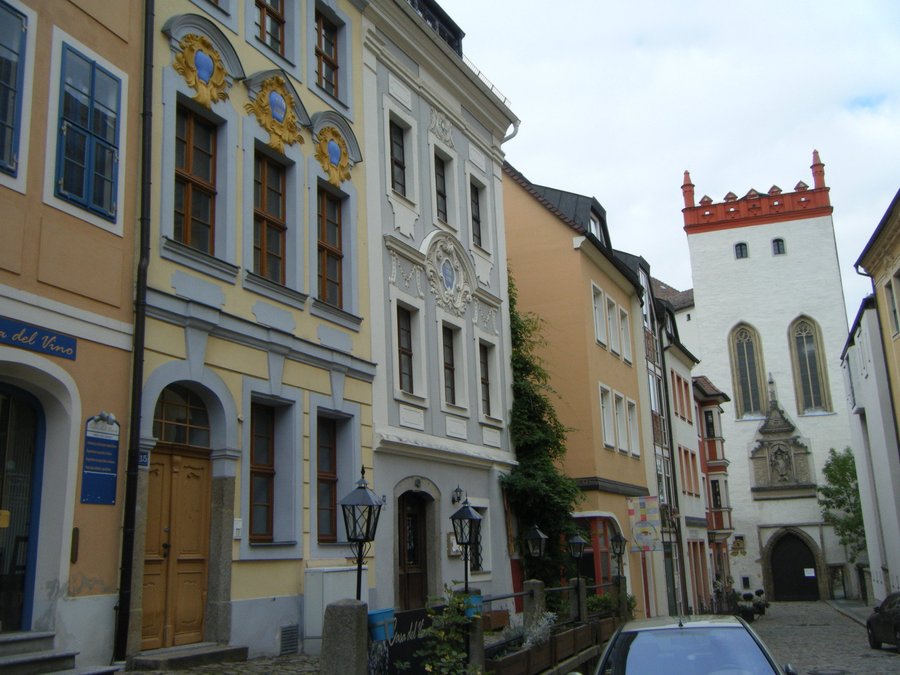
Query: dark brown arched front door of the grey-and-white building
413	581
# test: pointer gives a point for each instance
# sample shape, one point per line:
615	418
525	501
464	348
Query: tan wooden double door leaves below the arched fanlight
177	548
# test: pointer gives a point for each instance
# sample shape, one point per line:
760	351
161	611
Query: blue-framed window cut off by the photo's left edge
13	30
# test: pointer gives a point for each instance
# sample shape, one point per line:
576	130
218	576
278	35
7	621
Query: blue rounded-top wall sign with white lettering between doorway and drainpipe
101	460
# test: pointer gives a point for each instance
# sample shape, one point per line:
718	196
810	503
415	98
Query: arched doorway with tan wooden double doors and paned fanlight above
176	555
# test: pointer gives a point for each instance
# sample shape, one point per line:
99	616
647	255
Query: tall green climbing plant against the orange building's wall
537	491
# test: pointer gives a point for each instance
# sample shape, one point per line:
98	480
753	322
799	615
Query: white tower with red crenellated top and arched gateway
768	323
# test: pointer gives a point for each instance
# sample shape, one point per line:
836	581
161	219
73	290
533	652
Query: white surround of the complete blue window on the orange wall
116	226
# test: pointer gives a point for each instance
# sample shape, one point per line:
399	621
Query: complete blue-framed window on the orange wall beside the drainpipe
88	150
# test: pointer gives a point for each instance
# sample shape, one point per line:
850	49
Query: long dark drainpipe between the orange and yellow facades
140	322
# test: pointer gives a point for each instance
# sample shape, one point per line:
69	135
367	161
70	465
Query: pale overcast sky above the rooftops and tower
617	99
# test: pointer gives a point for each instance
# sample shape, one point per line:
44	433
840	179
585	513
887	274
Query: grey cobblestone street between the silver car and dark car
824	638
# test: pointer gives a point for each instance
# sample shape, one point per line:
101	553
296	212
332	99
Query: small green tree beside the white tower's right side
839	501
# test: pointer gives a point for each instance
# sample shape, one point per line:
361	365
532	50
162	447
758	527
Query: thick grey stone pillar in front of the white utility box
345	638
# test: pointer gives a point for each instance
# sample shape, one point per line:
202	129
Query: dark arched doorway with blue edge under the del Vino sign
20	481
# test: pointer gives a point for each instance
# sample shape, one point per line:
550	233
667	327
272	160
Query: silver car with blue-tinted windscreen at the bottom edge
693	645
